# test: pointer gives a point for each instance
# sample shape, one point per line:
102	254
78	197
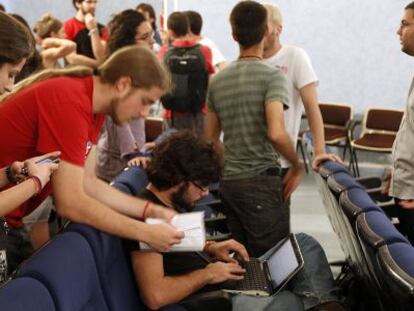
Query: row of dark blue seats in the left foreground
83	269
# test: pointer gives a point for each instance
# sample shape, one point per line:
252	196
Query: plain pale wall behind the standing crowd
352	43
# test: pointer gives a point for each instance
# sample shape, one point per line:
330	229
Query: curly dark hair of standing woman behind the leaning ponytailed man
123	28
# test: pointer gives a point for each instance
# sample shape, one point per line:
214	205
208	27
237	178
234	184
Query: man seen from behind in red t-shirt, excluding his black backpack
178	33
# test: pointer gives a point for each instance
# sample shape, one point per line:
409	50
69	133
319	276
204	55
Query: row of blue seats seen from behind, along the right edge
378	255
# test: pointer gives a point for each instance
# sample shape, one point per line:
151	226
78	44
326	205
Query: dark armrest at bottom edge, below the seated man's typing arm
214	300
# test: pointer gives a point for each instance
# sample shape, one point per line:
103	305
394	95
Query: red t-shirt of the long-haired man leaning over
55	114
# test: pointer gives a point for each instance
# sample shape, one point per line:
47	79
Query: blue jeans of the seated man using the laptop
312	286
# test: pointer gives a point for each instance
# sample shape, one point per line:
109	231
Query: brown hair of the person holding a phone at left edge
16	42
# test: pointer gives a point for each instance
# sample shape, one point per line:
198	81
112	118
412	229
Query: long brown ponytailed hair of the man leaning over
137	62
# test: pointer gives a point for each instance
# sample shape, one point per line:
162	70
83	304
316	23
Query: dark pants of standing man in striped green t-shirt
256	214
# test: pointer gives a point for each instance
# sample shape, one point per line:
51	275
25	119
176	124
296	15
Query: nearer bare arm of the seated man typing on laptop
158	290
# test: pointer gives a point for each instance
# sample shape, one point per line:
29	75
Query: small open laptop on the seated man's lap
265	277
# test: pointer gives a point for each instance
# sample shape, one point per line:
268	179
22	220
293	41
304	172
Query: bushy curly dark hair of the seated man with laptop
183	157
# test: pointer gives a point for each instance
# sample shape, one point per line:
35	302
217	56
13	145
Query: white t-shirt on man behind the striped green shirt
296	64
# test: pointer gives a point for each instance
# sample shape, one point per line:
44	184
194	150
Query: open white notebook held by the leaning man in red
192	224
